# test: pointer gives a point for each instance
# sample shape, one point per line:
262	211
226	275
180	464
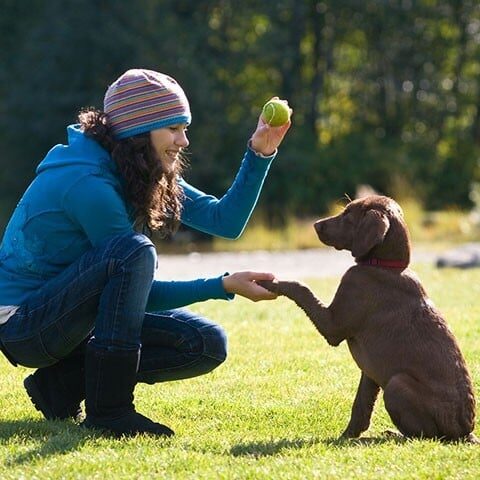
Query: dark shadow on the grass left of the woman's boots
51	437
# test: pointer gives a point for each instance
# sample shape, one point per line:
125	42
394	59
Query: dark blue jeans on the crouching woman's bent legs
102	297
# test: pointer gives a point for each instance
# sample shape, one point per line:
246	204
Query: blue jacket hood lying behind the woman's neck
80	150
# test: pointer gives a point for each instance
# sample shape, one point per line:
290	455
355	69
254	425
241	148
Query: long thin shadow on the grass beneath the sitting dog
265	449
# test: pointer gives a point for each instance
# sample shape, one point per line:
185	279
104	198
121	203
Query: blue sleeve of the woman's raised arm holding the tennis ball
227	216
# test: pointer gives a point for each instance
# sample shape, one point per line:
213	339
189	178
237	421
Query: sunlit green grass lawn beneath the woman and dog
272	411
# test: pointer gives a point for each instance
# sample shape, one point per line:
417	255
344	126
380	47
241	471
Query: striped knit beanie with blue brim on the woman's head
143	100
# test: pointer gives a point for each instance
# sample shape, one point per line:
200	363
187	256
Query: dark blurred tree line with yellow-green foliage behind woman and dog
385	92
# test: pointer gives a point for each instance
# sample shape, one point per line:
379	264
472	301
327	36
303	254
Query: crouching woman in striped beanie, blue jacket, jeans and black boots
78	298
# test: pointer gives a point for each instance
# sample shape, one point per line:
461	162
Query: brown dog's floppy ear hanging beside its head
370	233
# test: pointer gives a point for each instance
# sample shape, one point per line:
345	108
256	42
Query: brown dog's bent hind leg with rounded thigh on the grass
410	407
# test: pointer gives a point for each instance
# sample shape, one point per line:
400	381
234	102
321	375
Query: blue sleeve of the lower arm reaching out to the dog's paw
165	295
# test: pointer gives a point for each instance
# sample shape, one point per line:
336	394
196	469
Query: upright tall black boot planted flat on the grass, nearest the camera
110	381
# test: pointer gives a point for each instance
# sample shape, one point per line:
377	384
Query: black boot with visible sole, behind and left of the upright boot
56	391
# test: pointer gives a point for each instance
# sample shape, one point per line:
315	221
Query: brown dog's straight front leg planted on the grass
362	407
